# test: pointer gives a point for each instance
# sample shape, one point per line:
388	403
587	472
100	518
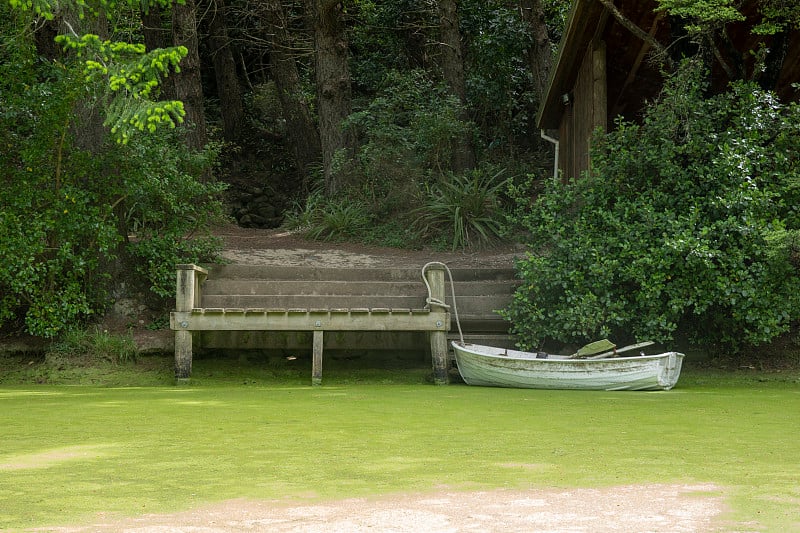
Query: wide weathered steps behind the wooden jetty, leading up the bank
479	293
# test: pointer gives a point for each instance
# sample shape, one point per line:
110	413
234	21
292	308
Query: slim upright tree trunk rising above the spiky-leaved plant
453	70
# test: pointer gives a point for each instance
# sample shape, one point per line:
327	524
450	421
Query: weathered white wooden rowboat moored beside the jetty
499	367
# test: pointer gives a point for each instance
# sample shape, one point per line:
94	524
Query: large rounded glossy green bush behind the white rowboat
689	223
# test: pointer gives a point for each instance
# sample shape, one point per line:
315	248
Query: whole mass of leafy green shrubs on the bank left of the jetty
70	196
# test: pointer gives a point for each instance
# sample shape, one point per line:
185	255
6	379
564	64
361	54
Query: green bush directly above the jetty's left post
166	206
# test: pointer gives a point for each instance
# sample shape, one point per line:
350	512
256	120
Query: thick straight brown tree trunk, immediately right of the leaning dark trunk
333	82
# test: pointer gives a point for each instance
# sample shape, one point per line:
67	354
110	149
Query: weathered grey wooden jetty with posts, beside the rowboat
398	306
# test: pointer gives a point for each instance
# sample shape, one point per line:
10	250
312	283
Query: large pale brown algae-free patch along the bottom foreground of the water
632	508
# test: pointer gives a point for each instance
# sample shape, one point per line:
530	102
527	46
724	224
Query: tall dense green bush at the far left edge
55	231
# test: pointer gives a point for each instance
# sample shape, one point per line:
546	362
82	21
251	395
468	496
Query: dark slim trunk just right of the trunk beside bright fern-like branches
228	91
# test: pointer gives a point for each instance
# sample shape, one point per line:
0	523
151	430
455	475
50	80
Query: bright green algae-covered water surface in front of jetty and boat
71	452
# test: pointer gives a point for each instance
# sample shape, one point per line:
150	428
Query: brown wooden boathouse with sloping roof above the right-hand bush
604	70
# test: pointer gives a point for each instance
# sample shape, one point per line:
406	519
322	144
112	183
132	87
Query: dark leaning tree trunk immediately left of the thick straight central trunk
302	133
